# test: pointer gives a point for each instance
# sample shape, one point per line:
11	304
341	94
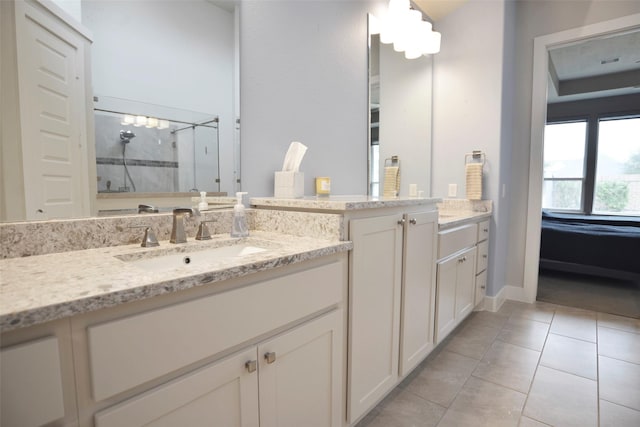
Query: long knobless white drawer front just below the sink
128	352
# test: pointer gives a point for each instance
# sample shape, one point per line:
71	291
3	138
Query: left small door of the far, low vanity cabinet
446	297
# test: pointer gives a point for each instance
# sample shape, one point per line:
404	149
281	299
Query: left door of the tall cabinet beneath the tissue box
374	287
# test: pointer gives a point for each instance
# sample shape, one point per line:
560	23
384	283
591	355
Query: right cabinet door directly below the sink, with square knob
301	375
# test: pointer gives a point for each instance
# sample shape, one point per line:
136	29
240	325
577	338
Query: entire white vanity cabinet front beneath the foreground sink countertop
263	349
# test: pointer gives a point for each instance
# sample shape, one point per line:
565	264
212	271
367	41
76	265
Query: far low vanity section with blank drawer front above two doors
456	270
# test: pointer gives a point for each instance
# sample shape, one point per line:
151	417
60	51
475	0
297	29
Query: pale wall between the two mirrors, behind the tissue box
303	73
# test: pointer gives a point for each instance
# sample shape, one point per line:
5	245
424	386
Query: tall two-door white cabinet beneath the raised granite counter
391	294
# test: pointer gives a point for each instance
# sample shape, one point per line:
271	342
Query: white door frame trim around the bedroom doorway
533	19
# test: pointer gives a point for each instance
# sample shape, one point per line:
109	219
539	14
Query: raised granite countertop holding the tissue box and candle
339	203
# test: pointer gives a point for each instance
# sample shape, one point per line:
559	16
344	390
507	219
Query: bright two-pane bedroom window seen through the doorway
593	171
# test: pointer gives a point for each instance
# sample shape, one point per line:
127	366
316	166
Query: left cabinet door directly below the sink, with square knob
224	393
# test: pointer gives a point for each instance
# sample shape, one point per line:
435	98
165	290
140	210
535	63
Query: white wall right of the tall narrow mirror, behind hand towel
467	112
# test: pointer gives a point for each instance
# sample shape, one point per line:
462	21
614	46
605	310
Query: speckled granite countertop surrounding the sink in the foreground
42	288
